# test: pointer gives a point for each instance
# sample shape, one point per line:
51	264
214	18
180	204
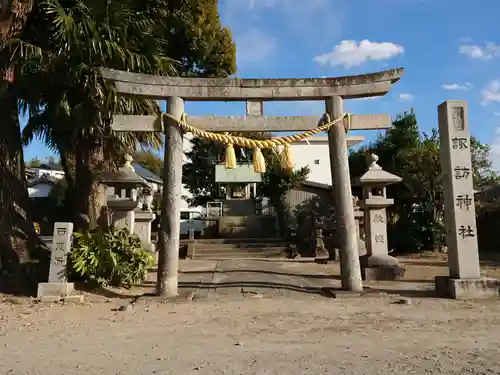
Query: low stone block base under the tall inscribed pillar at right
467	288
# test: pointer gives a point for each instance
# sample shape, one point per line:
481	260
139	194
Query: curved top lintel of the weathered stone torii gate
241	89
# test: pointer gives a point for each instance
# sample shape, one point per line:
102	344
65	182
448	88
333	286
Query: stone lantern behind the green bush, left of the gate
123	205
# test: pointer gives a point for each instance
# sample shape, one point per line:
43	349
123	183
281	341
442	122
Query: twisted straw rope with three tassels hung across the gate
257	145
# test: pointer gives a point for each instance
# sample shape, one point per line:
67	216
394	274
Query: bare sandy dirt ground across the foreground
278	335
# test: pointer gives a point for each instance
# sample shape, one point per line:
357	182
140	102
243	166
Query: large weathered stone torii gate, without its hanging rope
255	92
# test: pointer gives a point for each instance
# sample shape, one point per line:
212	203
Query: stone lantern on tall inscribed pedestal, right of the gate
377	264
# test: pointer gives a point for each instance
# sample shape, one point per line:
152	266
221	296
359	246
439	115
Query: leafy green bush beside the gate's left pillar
109	256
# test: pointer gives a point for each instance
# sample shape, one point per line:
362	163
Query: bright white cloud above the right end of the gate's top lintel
349	53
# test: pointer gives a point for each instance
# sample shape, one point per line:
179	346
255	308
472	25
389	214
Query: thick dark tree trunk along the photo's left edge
19	249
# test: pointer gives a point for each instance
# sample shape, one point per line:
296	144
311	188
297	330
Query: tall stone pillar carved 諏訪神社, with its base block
460	216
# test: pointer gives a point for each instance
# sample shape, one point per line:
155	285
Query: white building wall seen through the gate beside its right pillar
309	154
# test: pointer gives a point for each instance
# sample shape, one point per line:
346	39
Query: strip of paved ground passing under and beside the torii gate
285	278
